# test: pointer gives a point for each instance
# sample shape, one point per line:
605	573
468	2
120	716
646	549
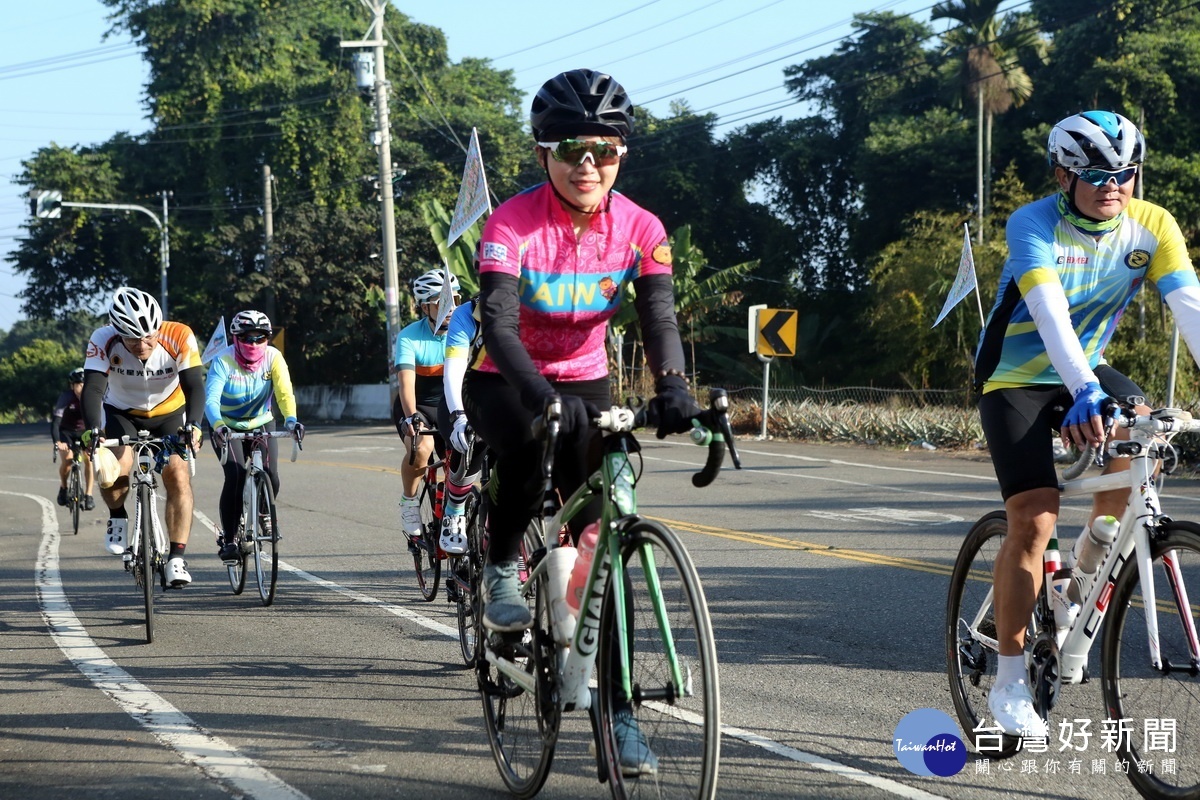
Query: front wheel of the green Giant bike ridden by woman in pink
677	715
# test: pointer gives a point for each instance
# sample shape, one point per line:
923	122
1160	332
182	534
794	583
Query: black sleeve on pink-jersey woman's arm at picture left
500	312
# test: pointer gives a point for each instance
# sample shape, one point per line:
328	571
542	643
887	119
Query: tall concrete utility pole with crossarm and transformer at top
382	137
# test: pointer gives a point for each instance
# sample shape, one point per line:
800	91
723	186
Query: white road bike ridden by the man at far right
1150	653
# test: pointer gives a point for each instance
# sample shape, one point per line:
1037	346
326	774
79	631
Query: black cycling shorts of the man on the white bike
1021	425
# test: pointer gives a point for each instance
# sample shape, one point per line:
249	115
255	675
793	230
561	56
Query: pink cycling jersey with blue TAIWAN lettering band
571	288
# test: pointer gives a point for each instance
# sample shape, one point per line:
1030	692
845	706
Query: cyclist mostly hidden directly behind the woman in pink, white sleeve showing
465	351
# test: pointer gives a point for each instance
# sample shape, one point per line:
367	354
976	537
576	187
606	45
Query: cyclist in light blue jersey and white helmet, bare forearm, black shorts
418	362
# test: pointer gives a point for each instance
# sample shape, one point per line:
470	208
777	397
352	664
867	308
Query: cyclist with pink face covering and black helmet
243	381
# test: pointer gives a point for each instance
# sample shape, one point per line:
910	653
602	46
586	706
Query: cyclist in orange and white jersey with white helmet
146	375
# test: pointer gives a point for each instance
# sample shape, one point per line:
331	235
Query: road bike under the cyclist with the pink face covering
259	530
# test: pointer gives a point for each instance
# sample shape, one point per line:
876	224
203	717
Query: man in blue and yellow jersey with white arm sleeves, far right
1076	260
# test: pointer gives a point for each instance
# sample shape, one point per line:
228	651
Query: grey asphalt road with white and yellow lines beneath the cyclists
826	572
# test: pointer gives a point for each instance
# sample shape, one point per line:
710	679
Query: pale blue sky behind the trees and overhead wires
62	82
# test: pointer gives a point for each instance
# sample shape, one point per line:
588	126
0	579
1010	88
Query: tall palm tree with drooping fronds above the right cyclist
988	71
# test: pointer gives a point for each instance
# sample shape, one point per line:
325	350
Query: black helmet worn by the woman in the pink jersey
581	103
